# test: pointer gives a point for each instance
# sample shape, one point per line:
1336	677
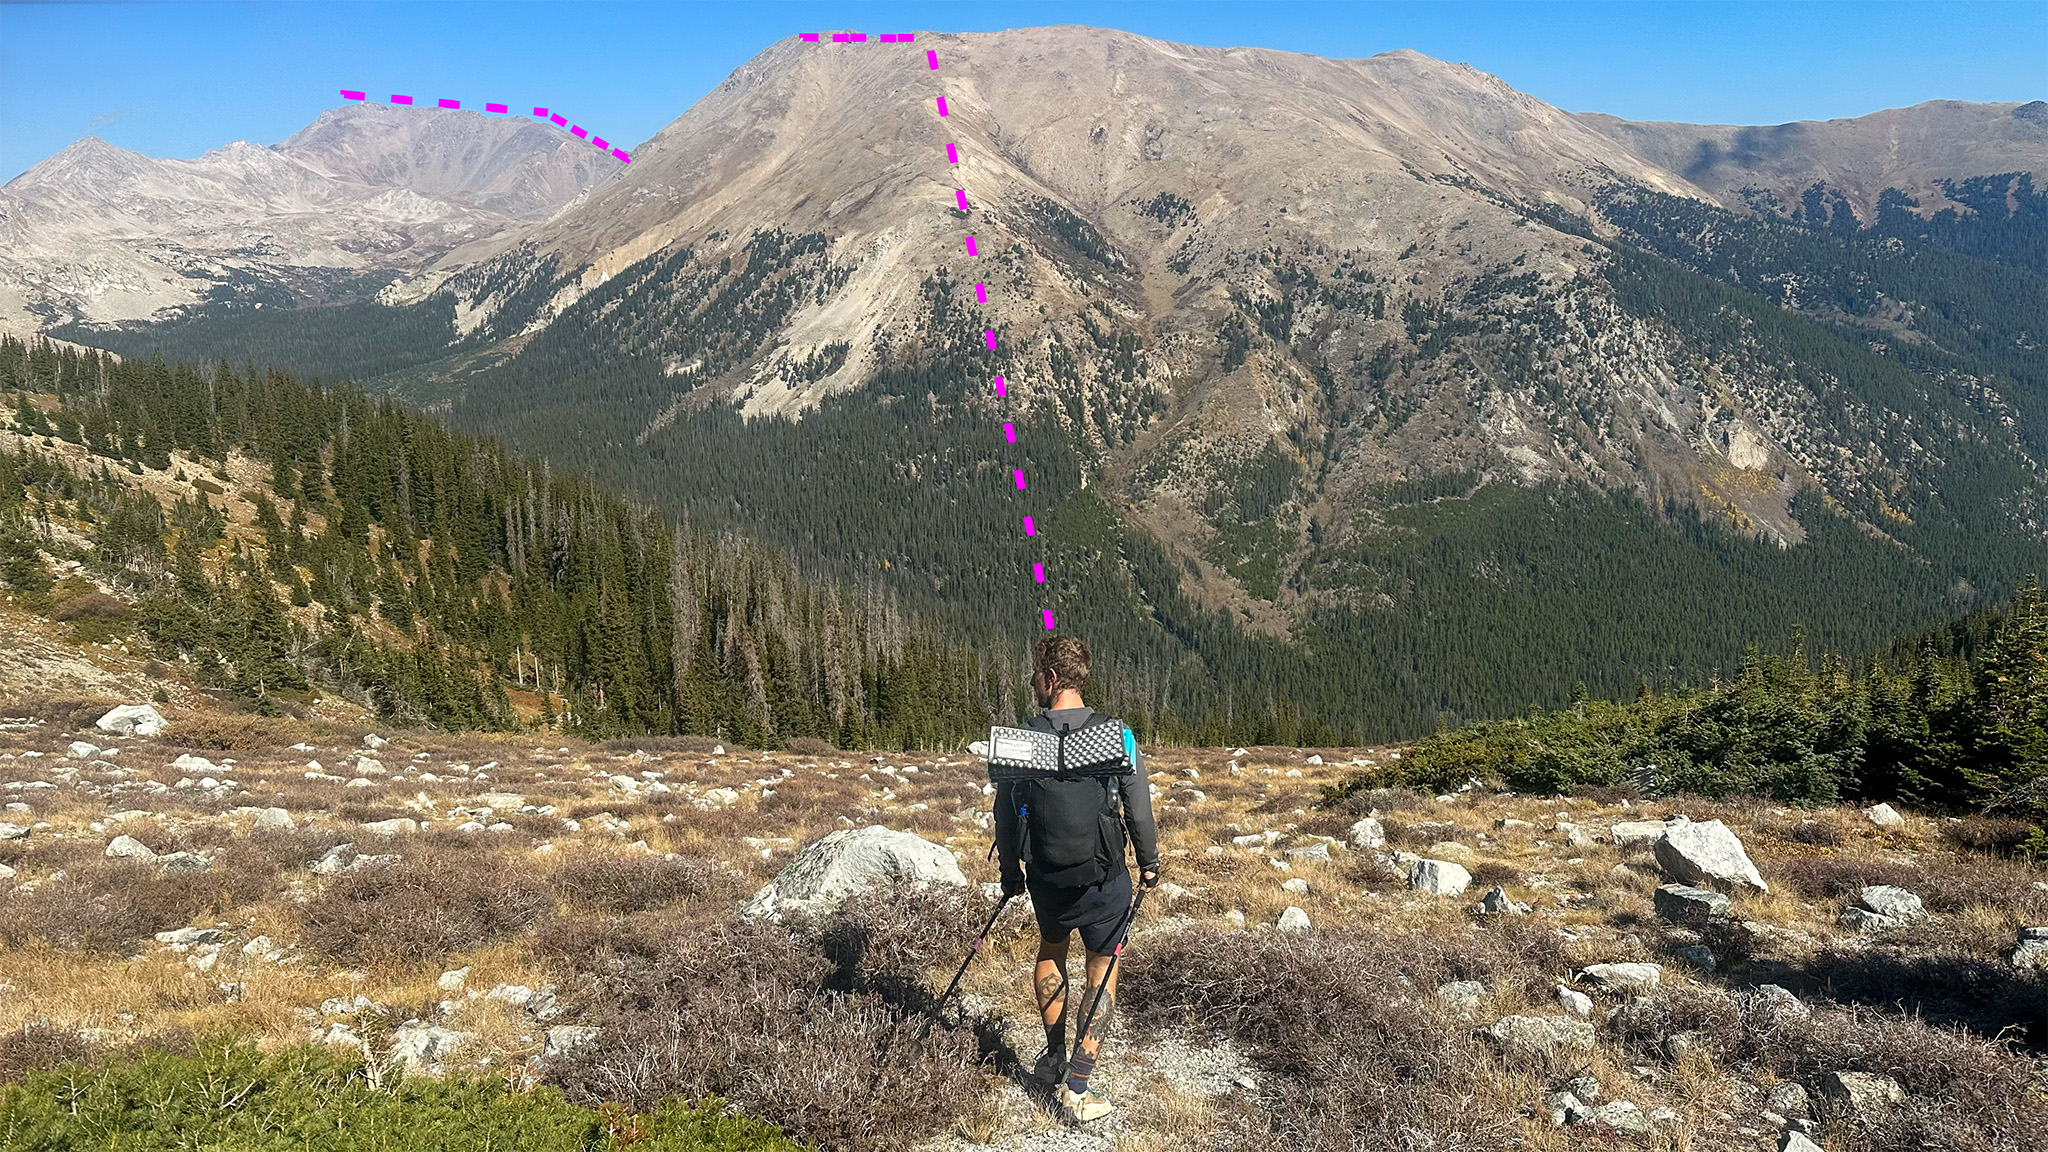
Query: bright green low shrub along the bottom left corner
228	1096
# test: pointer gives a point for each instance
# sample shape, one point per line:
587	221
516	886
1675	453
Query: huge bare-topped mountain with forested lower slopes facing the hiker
1369	366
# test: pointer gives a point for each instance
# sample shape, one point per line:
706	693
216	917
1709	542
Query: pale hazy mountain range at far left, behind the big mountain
366	192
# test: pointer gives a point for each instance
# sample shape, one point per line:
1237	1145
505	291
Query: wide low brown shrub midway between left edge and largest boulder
427	905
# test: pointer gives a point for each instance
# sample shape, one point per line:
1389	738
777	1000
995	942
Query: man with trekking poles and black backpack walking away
1064	839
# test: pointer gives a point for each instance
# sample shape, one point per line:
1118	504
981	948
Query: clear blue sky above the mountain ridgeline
181	79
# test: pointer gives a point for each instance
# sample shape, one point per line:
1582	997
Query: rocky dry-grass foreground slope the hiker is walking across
421	928
